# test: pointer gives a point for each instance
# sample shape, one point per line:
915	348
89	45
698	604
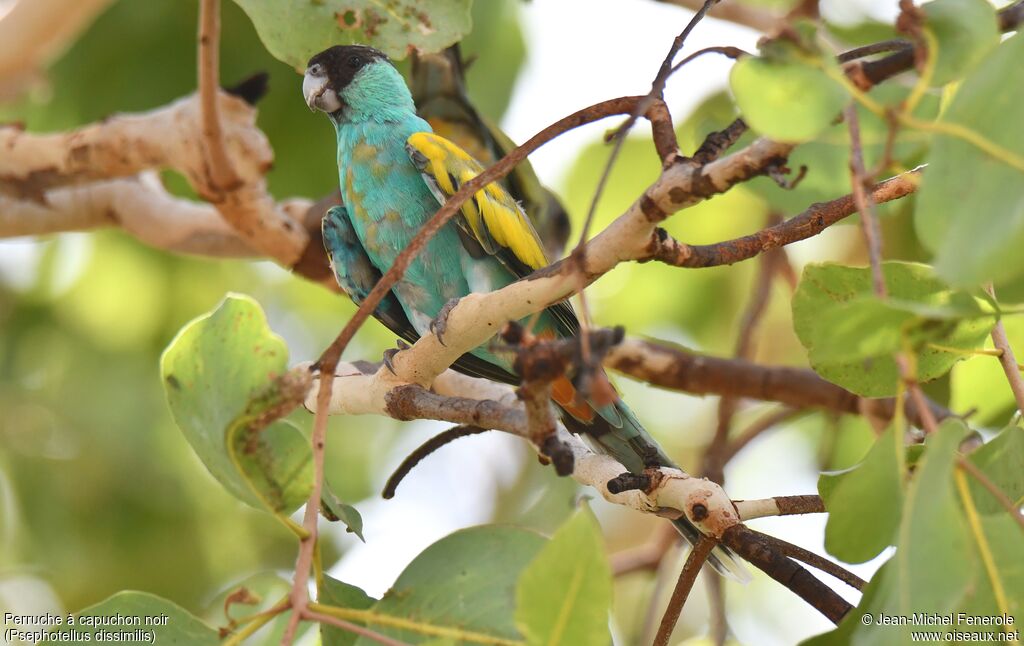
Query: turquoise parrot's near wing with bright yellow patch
492	222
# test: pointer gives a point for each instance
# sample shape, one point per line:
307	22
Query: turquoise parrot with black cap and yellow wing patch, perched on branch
395	174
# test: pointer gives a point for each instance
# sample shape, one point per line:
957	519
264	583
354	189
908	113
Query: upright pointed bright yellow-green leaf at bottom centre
565	596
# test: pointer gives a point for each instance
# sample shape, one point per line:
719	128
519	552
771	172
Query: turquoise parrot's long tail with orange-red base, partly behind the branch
617	432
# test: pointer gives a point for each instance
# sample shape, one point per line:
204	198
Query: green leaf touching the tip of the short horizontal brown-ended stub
873	490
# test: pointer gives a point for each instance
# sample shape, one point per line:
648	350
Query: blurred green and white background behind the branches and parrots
99	490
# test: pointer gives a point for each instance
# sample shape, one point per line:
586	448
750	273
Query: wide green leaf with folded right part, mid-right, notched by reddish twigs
851	335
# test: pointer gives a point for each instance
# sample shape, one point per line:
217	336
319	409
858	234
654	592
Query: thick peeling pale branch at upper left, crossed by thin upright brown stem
168	138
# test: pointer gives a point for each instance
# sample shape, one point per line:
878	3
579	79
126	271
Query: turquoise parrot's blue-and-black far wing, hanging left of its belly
357	276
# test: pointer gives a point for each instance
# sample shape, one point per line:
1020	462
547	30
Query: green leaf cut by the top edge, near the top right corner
965	31
